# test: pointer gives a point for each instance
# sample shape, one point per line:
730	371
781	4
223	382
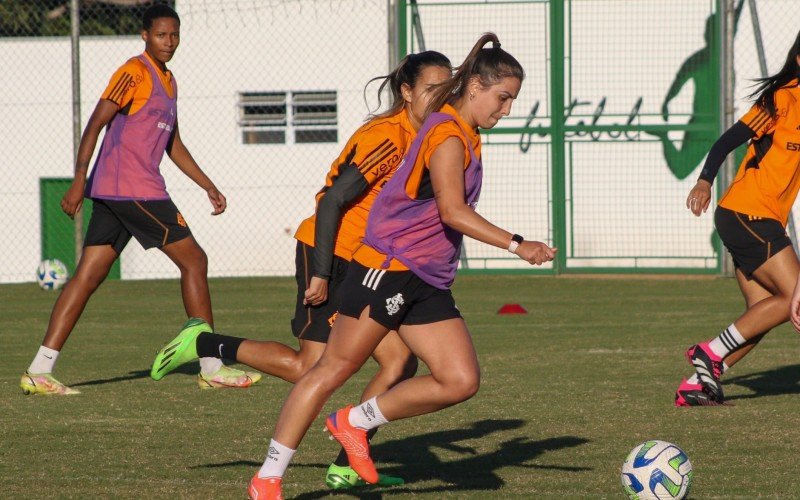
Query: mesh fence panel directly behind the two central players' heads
516	187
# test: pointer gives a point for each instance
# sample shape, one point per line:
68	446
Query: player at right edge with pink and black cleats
751	218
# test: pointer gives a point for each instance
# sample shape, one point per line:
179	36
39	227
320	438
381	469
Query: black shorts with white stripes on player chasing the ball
394	298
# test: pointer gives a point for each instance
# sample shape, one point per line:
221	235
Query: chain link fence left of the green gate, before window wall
268	93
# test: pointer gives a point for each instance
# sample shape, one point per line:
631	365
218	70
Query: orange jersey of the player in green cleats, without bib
376	149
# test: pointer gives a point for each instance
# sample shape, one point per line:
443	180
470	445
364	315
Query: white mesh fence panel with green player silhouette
626	191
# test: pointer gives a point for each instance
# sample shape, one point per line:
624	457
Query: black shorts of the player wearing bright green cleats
315	322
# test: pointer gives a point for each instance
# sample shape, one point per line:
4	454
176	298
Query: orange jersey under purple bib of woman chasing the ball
419	179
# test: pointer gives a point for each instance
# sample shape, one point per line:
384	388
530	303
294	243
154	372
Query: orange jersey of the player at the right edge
768	179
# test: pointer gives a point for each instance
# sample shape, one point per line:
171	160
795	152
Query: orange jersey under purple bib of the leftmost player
131	84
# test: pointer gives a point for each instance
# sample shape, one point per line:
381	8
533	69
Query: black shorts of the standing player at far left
153	223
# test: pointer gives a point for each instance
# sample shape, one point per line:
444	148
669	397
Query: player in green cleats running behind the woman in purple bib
325	245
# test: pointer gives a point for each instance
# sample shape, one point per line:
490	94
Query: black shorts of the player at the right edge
750	240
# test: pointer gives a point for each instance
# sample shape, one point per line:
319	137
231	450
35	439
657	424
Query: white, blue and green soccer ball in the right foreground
656	470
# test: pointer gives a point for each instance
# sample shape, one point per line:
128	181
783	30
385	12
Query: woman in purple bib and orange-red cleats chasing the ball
400	276
